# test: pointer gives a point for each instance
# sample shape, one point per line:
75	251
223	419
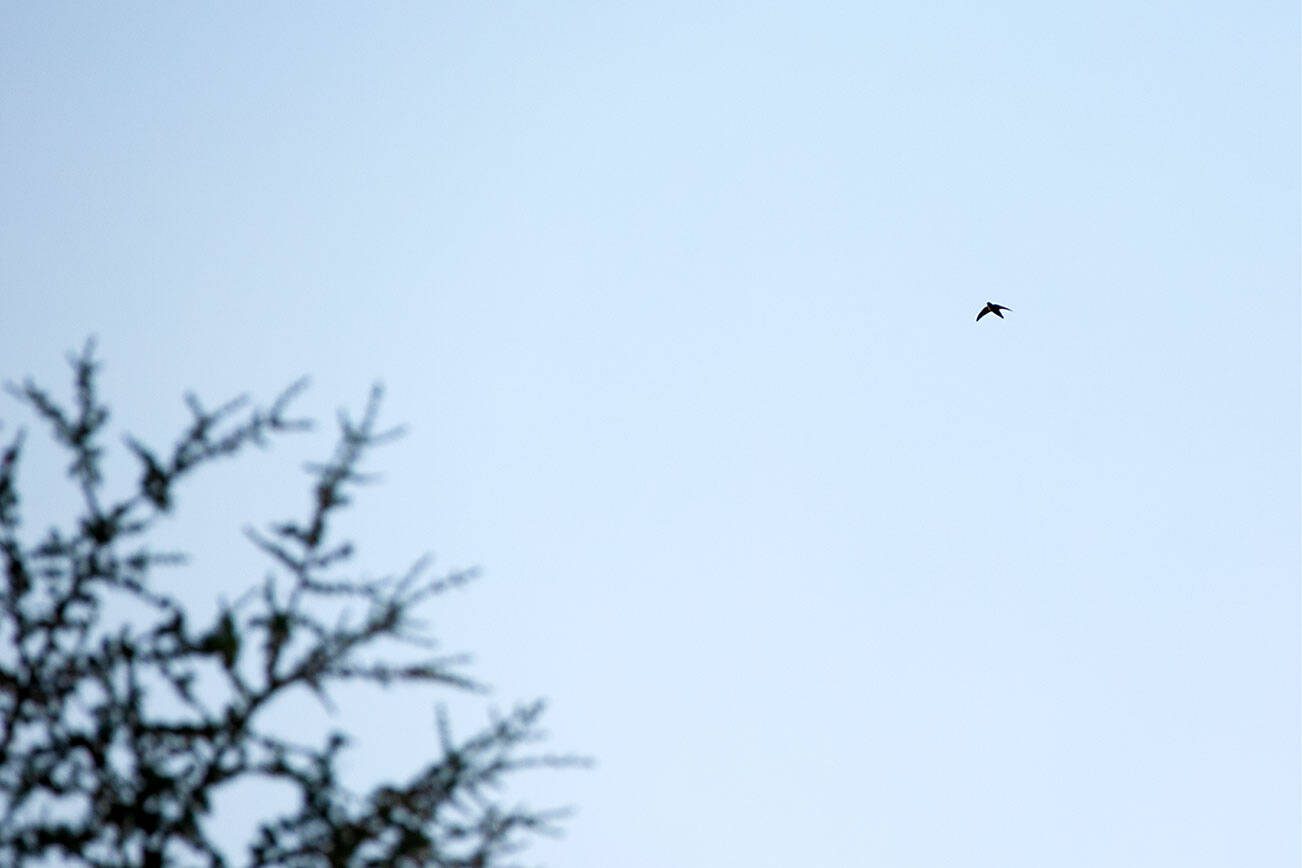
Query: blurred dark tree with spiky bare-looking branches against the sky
117	733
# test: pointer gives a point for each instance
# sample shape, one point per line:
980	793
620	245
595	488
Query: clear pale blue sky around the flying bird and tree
678	304
